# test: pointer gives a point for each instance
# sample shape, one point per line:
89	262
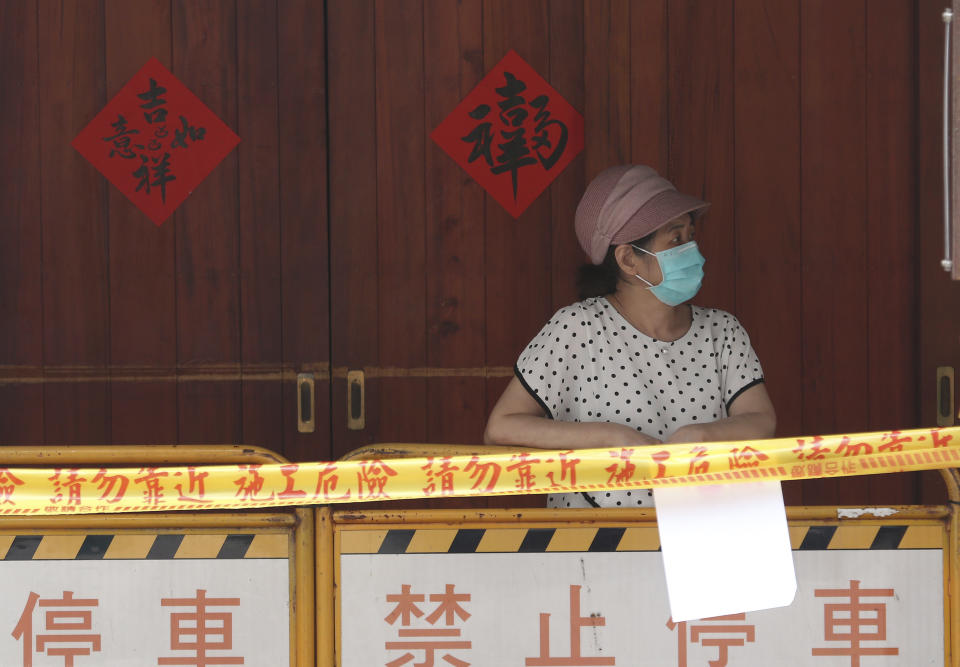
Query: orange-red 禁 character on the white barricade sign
420	633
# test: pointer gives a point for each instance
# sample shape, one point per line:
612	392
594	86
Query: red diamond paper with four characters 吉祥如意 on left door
156	141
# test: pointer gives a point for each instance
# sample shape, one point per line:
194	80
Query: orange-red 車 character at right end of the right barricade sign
854	622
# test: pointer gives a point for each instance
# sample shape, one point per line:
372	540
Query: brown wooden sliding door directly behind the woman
796	119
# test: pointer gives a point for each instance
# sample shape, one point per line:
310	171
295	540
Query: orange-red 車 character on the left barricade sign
200	631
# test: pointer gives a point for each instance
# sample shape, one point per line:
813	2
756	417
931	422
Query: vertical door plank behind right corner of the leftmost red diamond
208	285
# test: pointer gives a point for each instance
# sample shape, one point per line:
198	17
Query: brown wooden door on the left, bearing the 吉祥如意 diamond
118	331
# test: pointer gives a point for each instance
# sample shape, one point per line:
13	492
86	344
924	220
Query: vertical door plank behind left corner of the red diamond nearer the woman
453	65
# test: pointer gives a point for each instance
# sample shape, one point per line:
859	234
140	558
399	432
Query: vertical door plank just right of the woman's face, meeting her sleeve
767	195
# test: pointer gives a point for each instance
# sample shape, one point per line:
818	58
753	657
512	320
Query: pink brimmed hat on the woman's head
626	203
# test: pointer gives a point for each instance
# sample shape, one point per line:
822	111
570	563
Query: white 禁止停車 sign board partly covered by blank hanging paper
852	607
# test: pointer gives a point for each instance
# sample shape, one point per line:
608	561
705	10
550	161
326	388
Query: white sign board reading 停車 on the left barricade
127	613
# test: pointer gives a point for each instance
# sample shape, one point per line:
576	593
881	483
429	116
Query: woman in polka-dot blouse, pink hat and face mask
633	363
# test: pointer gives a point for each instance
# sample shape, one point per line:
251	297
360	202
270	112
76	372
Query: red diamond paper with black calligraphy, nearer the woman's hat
513	134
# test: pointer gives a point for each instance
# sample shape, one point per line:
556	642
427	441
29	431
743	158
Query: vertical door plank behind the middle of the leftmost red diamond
142	256
